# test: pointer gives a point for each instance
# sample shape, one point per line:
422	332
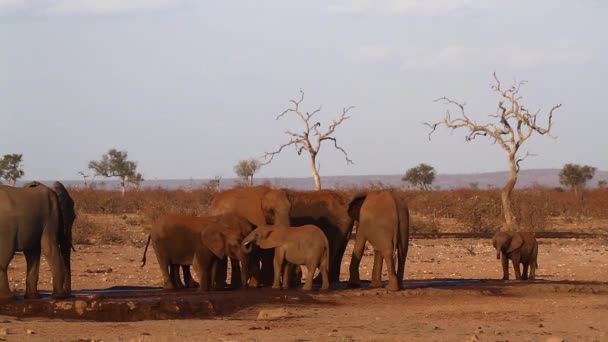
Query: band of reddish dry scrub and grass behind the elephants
105	217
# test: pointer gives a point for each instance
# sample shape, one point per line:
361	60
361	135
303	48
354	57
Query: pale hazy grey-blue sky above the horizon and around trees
190	87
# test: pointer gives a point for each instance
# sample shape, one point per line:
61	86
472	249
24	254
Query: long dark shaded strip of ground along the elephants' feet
119	304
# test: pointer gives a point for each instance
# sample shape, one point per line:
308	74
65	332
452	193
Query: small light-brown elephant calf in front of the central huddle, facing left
305	245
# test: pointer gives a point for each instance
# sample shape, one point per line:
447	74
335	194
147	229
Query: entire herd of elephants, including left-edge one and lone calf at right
266	234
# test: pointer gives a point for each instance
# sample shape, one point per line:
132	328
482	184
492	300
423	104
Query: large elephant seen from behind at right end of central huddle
383	220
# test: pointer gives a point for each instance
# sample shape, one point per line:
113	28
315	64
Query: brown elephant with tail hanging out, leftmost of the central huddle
176	239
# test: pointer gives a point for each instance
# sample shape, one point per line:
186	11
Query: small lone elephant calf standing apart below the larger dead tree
519	247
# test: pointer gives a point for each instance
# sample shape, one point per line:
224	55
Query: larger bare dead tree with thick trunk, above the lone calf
514	125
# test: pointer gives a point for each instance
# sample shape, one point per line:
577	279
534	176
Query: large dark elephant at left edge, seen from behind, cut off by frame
36	219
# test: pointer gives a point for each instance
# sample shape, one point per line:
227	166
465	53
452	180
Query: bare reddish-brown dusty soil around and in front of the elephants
570	301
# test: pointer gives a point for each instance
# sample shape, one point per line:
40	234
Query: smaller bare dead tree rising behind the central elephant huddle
311	138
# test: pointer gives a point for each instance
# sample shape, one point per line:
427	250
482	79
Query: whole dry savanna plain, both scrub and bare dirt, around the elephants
452	291
